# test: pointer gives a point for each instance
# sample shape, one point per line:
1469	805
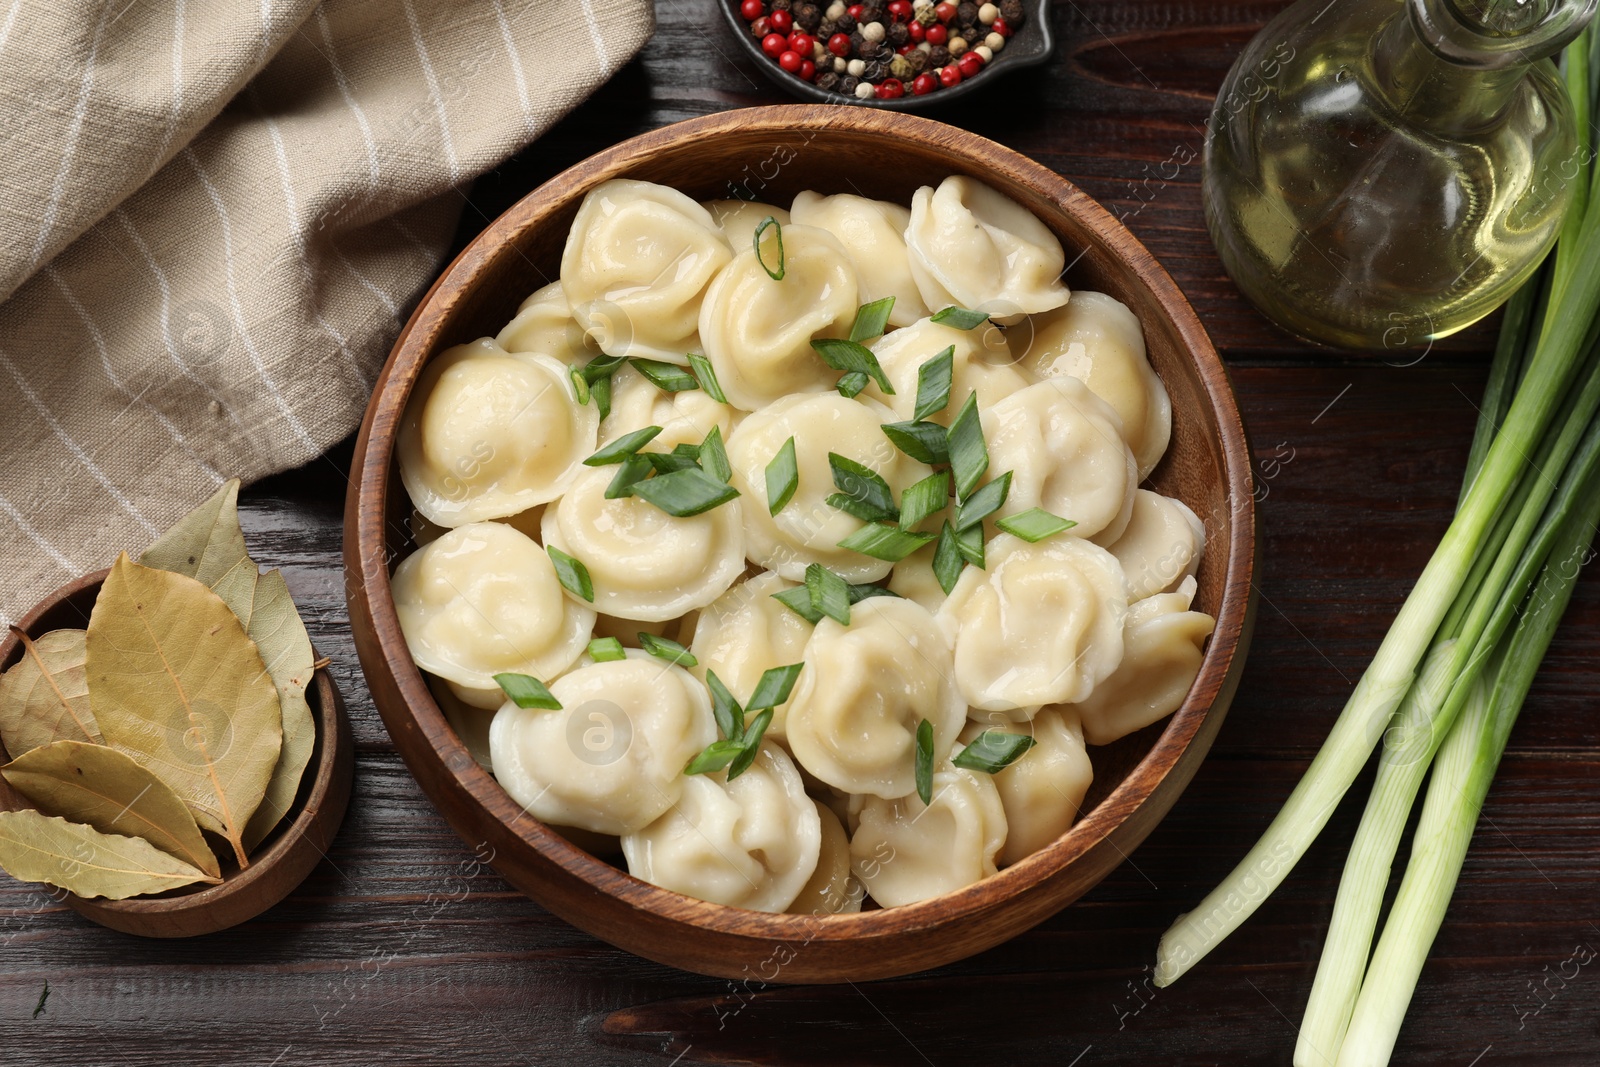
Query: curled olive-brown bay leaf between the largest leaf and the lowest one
106	789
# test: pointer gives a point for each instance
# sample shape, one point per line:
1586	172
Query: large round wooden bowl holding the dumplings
831	150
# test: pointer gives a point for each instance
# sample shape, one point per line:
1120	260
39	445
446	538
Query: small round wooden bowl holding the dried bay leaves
279	865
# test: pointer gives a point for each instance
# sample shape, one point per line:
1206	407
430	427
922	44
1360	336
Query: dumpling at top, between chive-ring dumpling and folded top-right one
874	238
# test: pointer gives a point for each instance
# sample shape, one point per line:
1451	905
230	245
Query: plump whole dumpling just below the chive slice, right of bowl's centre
1041	626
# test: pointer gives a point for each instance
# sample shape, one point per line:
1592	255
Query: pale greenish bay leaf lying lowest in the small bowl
81	860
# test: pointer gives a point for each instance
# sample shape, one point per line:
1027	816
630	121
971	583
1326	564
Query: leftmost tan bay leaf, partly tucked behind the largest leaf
46	695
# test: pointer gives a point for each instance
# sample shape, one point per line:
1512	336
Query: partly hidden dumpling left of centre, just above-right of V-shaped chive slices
746	633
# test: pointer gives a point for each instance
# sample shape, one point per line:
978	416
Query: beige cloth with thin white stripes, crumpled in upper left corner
215	217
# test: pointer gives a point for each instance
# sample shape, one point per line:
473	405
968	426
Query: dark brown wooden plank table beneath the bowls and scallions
396	953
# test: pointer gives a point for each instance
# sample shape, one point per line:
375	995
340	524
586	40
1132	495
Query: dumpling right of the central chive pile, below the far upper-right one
1066	455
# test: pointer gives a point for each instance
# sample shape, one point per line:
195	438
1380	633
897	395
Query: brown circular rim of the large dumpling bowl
372	602
